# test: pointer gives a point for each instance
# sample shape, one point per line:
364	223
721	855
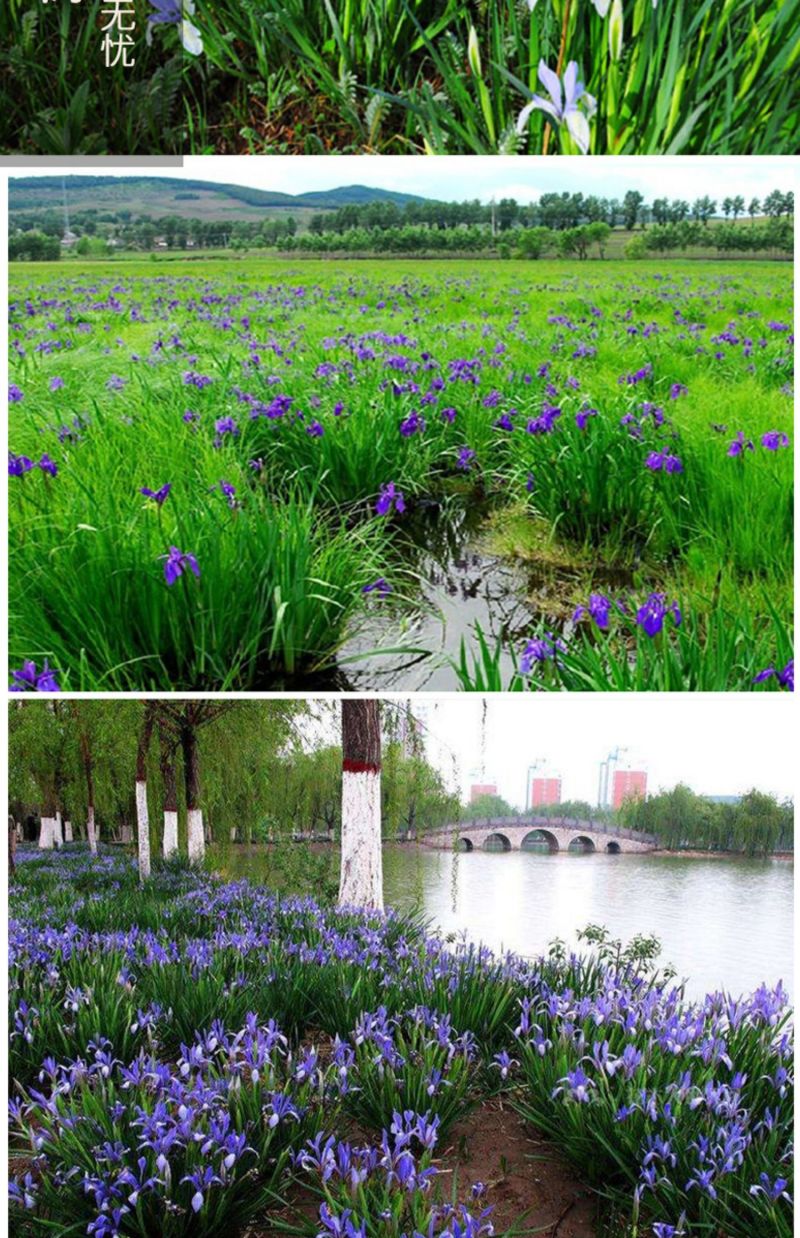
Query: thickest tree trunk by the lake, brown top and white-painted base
361	882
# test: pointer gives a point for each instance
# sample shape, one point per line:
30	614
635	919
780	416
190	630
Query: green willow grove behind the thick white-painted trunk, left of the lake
242	772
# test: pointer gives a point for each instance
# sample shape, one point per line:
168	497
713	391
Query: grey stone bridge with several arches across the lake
539	834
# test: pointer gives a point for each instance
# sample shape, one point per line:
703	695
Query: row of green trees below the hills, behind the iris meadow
441	227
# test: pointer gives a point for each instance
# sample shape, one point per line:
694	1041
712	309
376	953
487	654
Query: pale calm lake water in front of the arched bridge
723	924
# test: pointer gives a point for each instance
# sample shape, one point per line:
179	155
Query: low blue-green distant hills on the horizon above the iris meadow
157	196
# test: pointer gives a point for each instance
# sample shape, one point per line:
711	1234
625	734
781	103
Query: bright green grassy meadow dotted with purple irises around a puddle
626	429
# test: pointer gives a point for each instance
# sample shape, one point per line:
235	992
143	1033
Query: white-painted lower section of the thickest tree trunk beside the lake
362	861
